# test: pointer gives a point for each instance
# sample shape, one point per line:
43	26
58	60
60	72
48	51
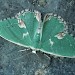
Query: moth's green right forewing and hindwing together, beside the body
55	41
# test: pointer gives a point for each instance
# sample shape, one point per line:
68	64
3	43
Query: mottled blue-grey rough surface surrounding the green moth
14	62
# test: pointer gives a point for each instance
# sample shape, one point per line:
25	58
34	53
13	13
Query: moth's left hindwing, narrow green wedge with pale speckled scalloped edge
31	21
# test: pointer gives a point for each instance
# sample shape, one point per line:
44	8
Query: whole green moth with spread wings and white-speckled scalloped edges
28	30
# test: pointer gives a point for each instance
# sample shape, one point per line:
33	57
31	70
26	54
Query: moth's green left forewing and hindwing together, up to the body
19	30
